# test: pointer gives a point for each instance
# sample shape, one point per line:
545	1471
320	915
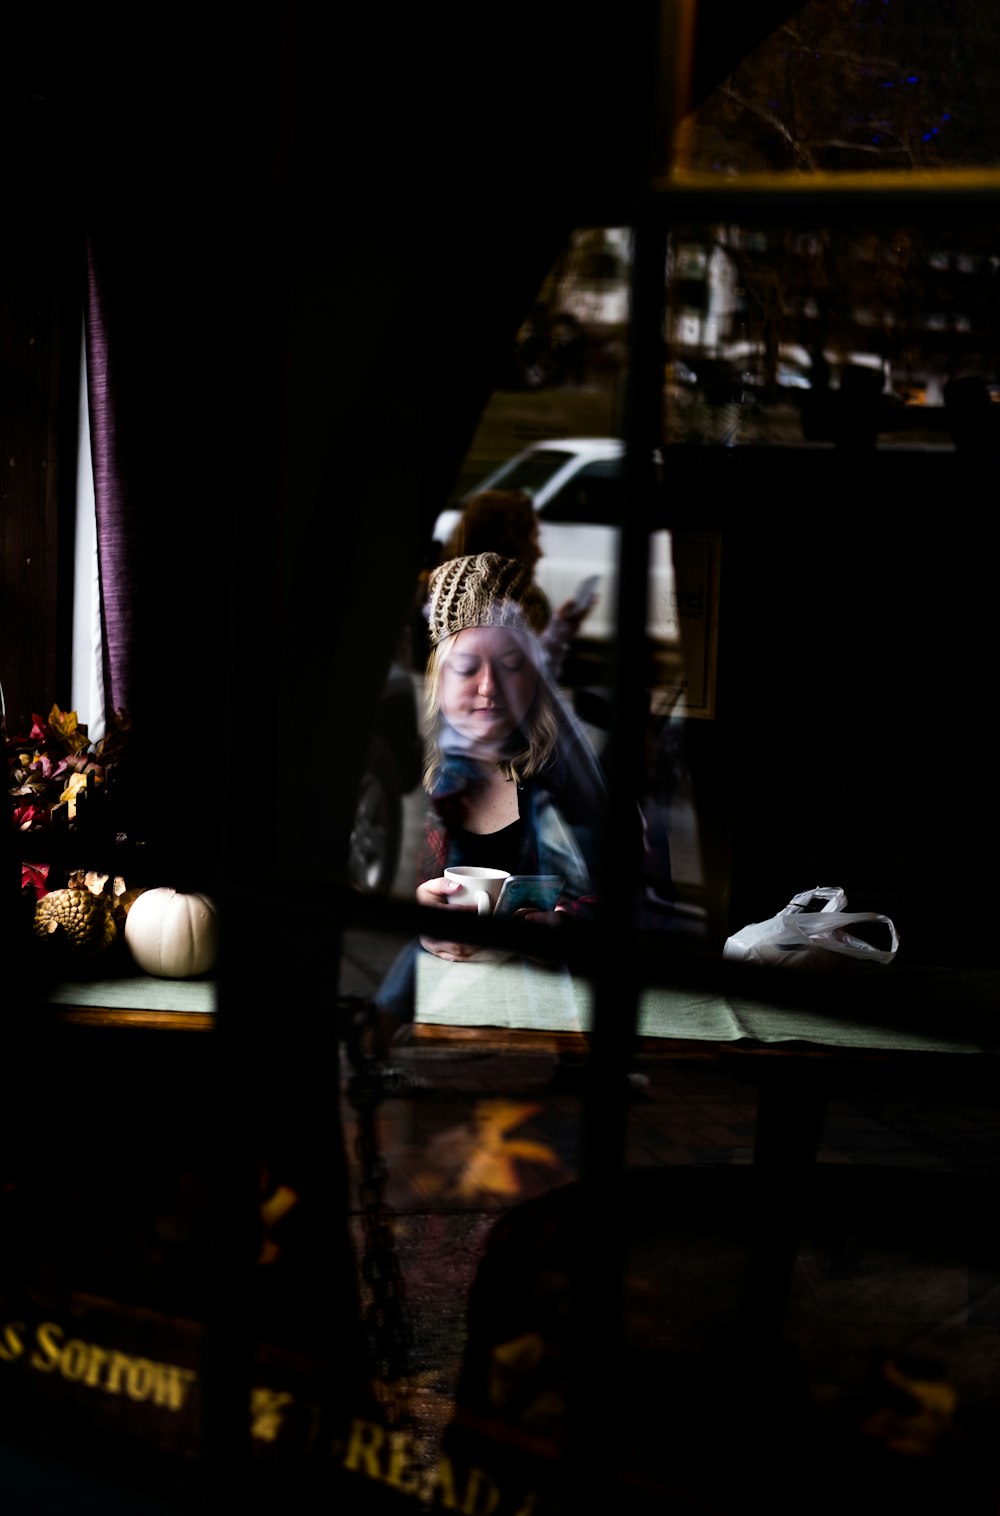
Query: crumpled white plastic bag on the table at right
813	932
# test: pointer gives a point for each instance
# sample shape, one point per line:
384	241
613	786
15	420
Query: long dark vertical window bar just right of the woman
595	1436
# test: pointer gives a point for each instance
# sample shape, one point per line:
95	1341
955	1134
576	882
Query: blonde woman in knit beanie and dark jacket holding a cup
511	778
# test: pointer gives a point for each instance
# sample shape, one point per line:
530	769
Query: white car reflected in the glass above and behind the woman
575	486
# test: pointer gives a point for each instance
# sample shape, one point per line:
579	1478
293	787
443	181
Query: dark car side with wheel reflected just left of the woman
393	771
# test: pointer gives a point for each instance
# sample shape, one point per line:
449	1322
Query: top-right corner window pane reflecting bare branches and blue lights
855	87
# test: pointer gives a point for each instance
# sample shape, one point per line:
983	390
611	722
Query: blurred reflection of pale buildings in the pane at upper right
923	309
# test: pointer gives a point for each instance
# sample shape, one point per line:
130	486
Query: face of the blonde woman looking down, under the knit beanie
487	684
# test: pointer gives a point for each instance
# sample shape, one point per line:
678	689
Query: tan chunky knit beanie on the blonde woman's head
483	590
